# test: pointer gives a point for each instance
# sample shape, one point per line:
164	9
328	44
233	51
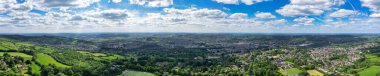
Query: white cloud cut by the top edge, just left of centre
152	3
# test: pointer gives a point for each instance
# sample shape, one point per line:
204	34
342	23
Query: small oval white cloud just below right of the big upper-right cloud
342	13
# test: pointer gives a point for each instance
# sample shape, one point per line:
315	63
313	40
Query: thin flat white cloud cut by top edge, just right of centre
246	2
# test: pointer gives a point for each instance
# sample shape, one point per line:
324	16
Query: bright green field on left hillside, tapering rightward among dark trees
46	60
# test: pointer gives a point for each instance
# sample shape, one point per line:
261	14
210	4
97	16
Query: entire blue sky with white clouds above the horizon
191	16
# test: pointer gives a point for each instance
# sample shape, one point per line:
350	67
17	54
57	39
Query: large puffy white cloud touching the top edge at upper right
307	7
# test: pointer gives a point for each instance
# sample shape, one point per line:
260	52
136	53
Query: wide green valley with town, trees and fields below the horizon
189	54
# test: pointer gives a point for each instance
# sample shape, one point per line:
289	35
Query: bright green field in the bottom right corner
371	71
